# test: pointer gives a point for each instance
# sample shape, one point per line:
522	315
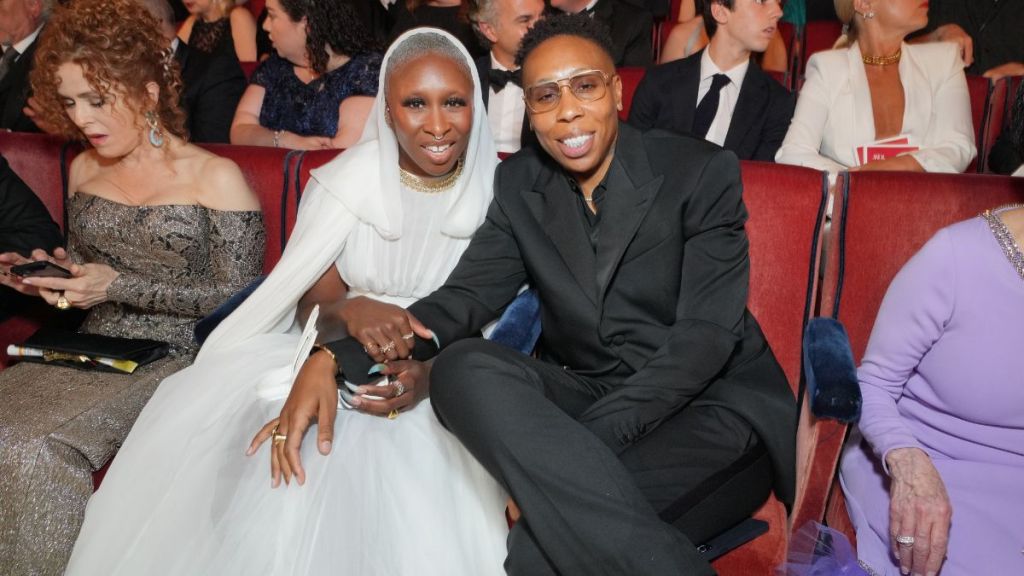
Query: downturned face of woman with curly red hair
105	120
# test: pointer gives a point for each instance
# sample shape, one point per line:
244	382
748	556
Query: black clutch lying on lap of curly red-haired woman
92	352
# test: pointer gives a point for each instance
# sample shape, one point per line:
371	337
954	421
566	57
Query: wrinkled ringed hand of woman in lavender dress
920	513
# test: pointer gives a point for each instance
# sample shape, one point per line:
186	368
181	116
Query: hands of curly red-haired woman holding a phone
87	289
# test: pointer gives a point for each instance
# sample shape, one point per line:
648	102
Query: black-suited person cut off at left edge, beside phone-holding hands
25	226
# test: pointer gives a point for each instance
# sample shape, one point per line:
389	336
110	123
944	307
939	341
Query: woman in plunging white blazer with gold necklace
881	88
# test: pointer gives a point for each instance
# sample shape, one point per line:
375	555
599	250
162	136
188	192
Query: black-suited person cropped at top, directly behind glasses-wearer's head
629	25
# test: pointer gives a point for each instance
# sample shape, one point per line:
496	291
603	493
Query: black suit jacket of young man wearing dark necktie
667	99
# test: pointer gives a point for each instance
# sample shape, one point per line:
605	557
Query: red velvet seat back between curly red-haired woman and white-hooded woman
266	171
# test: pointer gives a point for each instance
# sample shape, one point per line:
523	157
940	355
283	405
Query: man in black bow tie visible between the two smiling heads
500	25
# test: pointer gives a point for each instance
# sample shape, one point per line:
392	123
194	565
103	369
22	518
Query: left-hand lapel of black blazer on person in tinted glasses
556	207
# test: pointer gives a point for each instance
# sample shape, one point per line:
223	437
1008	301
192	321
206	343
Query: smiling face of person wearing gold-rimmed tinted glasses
578	135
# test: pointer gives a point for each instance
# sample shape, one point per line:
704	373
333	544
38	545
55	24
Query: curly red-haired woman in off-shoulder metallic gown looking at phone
160	233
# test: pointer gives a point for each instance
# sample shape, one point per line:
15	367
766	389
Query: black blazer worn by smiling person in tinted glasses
659	312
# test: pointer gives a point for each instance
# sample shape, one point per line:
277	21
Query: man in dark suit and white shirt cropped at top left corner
21	23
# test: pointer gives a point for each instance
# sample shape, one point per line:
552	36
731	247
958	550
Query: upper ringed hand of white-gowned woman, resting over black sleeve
387	333
